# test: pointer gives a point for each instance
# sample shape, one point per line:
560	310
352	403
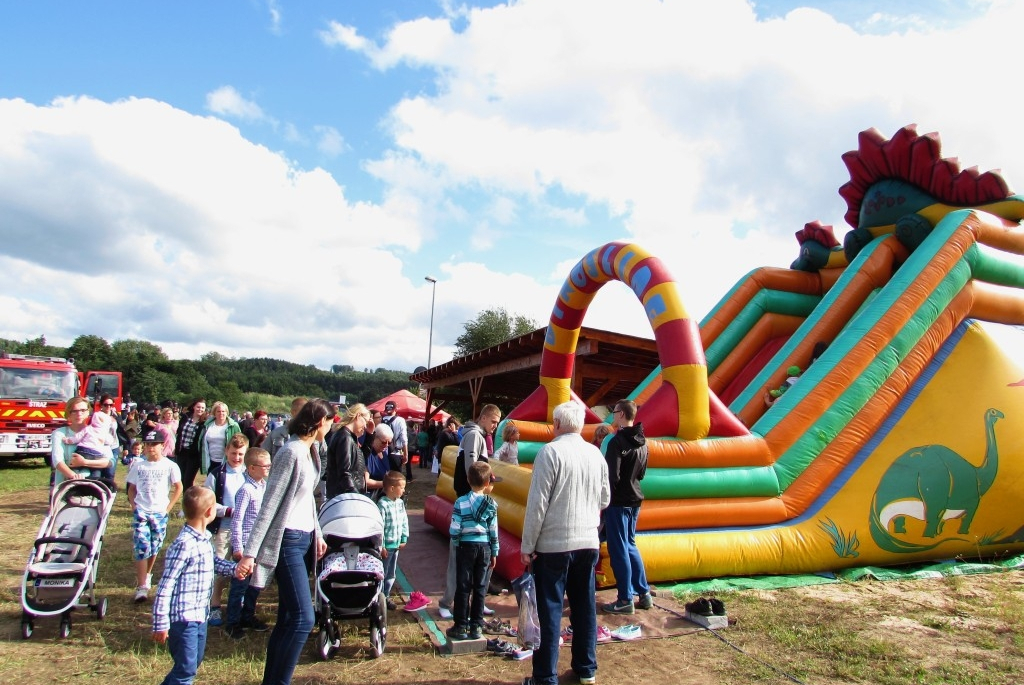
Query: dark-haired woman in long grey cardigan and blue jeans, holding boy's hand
282	536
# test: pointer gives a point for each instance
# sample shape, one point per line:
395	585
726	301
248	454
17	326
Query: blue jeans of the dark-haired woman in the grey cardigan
295	610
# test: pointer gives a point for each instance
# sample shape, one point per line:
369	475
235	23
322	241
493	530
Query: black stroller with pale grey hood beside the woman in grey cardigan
351	577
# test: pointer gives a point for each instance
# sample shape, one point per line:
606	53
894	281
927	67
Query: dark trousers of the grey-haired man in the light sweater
561	575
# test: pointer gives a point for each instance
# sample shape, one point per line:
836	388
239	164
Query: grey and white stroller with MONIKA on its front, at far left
65	560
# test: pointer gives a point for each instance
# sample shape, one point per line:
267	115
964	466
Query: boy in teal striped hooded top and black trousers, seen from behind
475	533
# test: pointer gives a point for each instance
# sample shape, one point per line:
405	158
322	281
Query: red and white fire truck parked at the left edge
33	393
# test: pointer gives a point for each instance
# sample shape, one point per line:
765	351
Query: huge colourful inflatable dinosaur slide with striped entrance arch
900	437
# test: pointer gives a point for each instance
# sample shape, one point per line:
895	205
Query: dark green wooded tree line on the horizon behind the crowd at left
150	376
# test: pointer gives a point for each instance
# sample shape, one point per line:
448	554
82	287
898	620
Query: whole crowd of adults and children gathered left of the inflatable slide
254	518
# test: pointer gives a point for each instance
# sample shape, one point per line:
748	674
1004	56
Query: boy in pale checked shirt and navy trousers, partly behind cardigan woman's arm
242	596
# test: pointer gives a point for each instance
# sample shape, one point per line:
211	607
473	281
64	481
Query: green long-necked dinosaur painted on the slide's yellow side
932	484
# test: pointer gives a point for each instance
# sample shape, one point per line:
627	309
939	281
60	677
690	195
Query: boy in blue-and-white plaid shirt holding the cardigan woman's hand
183	603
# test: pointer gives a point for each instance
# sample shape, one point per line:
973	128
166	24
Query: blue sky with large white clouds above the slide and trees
277	179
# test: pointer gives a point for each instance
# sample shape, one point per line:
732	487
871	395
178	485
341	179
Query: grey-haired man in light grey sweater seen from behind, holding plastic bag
568	491
